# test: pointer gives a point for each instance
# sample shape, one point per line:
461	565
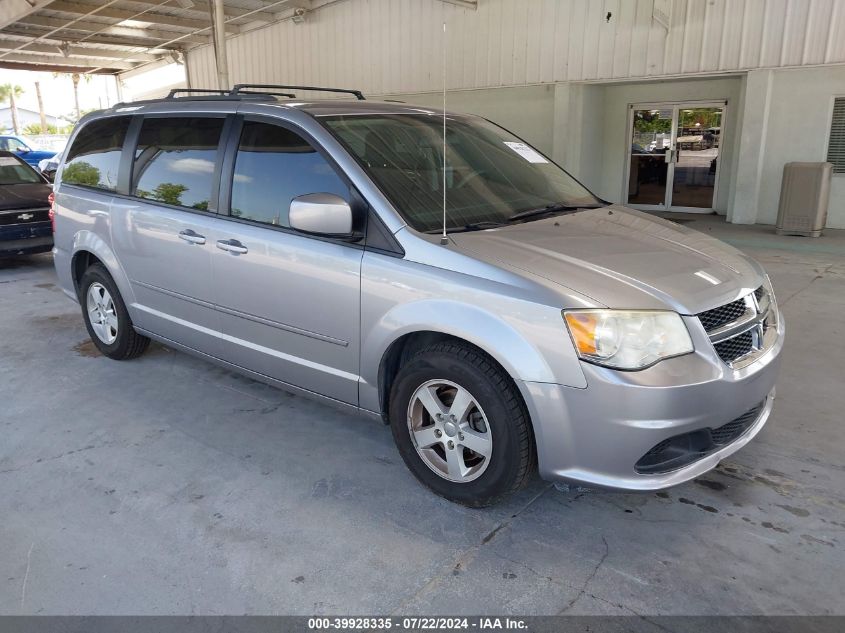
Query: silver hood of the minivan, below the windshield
621	258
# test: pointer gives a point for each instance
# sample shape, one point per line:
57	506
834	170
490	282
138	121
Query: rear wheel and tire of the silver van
114	335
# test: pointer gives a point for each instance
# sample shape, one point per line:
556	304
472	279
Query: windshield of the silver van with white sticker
491	175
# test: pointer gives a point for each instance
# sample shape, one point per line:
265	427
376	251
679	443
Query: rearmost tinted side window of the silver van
94	157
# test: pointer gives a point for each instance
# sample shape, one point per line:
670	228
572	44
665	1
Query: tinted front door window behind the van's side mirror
273	166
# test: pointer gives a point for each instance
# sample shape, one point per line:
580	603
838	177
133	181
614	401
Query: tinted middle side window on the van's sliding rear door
175	159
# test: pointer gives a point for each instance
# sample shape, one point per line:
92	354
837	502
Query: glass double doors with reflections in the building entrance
674	156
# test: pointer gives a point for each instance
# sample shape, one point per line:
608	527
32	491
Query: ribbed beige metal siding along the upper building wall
396	46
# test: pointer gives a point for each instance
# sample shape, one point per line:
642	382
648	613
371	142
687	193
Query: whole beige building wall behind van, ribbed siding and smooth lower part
561	74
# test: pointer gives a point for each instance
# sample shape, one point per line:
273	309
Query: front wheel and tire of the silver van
496	424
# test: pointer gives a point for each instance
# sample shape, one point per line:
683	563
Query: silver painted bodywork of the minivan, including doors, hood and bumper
318	316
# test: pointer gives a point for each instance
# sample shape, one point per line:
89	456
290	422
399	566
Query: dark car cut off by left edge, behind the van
25	224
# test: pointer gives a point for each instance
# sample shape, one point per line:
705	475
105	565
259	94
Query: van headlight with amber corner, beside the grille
627	339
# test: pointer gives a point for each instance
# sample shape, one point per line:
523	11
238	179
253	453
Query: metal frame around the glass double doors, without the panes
670	171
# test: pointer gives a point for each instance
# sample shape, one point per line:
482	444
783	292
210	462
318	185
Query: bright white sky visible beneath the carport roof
57	92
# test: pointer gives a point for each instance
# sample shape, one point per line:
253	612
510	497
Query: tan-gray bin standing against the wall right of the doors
804	197
